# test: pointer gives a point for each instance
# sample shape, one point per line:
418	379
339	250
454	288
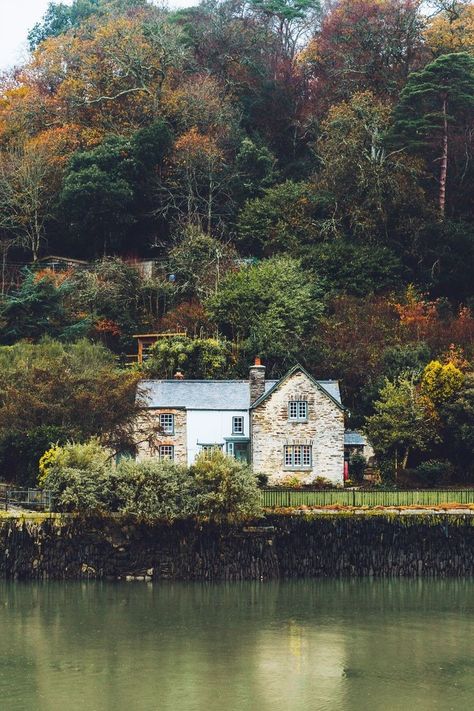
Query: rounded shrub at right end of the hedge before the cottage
227	489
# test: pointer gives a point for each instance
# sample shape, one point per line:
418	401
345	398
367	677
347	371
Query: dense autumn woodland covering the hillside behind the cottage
301	173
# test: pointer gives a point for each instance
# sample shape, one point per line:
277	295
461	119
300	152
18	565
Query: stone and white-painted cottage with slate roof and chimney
288	427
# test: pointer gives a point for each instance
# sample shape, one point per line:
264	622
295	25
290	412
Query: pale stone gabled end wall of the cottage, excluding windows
324	430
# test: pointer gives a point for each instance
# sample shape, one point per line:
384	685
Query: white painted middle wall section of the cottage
210	427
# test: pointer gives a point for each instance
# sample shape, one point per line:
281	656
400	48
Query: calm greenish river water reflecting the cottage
291	646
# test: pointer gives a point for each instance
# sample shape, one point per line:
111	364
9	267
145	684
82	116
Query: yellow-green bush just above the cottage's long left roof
198	358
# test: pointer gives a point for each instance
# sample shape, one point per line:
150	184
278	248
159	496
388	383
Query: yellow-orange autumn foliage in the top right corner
444	35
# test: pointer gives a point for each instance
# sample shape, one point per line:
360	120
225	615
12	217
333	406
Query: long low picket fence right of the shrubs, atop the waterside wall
348	497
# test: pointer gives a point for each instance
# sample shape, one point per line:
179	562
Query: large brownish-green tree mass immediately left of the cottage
50	392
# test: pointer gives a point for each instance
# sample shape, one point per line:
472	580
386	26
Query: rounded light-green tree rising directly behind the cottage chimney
268	308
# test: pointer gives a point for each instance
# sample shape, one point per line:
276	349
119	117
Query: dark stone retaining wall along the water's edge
278	546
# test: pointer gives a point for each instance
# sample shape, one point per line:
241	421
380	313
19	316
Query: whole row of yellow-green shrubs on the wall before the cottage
83	478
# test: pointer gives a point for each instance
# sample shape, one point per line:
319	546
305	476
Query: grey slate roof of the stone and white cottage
209	394
